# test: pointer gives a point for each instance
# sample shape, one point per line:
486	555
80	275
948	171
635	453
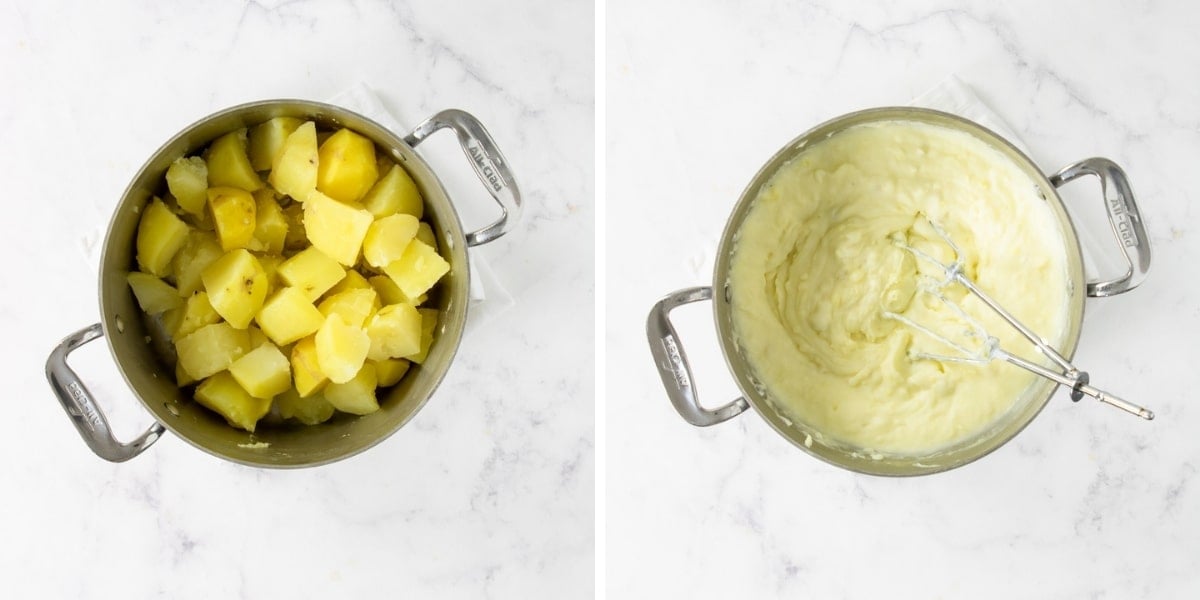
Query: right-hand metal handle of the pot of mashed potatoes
1125	218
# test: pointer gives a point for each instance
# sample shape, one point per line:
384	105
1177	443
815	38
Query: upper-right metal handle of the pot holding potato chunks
489	164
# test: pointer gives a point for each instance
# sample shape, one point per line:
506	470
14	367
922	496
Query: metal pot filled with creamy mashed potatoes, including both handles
817	261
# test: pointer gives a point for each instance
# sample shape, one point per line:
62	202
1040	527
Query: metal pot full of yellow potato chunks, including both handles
285	284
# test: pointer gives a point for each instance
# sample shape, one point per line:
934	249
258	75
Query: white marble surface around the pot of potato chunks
487	494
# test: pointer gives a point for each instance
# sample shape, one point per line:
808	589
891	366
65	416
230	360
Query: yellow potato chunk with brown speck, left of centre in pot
237	287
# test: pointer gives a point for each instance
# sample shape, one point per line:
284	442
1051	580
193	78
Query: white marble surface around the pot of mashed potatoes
1088	502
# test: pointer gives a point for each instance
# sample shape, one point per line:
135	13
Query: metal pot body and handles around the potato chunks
154	383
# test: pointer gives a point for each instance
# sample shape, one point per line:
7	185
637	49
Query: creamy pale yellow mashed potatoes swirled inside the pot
819	262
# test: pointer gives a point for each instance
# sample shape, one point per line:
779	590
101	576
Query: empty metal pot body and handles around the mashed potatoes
680	382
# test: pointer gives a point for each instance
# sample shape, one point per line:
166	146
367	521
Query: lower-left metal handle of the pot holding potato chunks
83	410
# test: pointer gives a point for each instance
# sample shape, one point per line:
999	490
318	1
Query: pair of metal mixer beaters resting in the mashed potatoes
989	350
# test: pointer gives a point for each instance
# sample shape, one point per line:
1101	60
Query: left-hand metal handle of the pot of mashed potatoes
673	363
